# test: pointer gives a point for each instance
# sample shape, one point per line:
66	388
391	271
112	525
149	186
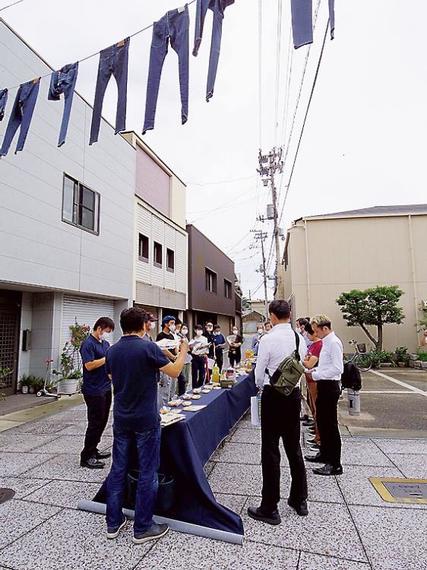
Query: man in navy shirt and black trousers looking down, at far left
96	391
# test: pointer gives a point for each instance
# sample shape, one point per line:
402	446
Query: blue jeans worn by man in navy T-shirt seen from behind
148	450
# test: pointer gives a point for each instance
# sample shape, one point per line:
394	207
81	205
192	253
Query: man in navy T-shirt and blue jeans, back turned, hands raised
133	366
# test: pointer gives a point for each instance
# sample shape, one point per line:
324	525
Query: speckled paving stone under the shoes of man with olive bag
327	530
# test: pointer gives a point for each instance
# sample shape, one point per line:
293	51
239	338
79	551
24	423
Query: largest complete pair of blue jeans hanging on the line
173	27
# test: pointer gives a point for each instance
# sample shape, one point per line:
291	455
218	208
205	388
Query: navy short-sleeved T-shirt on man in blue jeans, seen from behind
133	365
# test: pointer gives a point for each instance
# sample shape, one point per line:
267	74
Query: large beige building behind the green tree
330	254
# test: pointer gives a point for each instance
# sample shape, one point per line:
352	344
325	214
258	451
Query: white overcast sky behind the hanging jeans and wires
364	143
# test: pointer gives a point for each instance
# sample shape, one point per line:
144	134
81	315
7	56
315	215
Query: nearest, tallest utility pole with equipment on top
269	165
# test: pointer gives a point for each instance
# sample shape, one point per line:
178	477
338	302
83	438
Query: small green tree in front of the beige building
377	307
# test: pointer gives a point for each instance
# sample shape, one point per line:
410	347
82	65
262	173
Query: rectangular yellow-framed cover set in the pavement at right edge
398	490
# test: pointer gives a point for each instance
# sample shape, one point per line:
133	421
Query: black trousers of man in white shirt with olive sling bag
280	420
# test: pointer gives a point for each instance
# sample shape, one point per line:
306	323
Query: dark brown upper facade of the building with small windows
202	254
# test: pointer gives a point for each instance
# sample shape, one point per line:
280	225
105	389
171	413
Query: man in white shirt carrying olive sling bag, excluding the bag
280	419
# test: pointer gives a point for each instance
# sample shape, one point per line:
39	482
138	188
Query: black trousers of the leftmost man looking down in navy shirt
98	410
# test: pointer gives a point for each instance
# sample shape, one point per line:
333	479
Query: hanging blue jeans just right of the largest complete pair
217	7
